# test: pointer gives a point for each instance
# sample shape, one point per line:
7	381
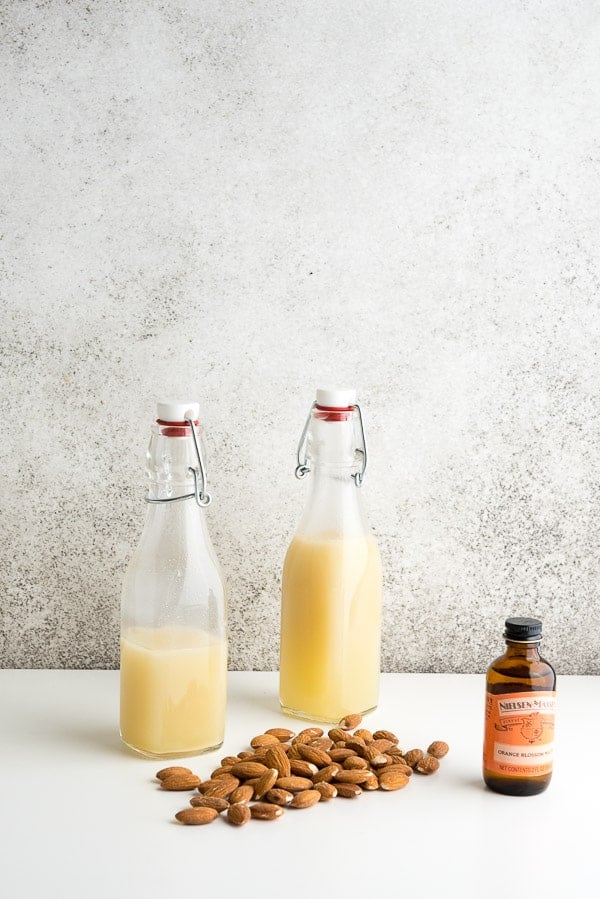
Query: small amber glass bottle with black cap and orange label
519	714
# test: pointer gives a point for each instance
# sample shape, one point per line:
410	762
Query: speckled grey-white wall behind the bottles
239	201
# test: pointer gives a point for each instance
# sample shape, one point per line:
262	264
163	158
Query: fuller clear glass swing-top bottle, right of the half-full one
331	586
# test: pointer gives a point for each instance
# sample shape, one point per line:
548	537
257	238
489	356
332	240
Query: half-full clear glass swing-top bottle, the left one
173	607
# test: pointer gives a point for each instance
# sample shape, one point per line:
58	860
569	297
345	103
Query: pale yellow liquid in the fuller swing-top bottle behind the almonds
330	627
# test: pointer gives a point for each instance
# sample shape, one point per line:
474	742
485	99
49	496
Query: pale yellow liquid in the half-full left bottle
173	690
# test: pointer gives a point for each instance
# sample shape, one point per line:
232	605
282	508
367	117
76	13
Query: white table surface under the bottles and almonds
80	816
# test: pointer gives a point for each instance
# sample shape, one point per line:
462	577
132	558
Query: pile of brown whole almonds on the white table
283	769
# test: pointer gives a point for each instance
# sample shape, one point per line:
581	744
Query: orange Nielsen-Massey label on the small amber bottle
519	733
